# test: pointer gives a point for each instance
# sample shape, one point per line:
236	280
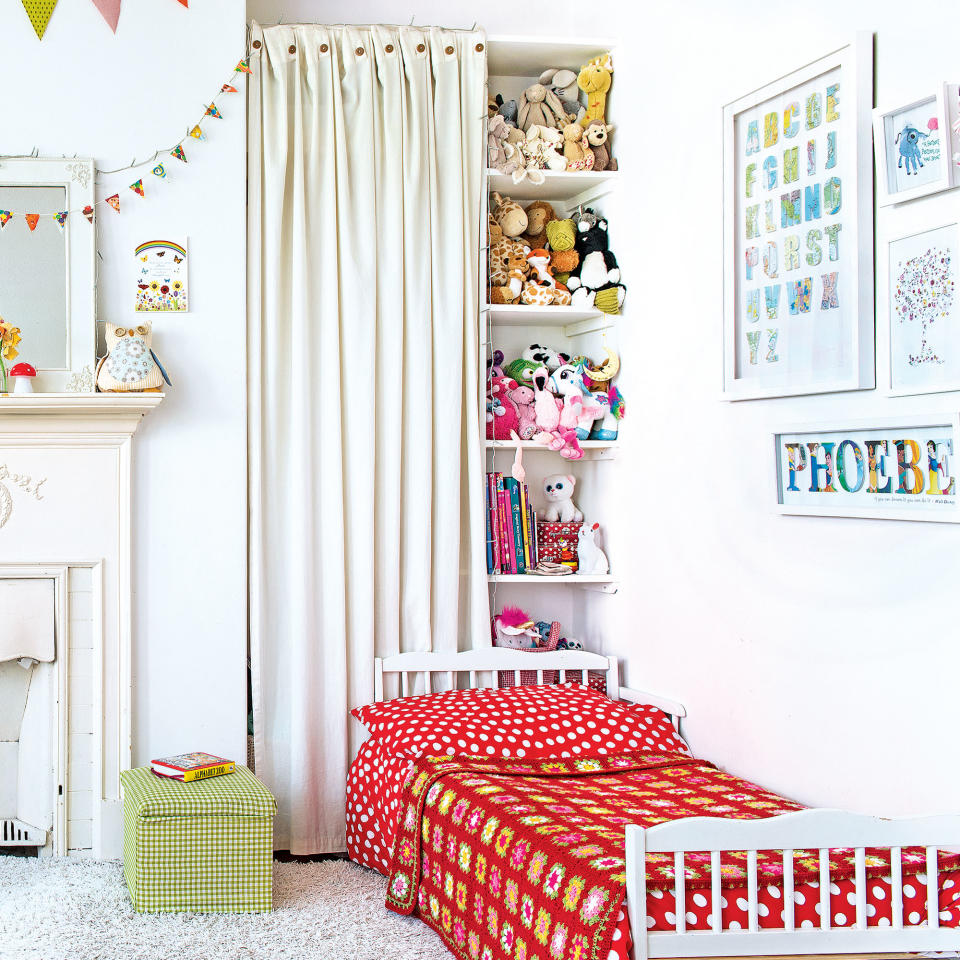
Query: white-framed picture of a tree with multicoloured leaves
918	247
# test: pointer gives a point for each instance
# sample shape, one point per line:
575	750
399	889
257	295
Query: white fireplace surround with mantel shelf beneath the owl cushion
65	503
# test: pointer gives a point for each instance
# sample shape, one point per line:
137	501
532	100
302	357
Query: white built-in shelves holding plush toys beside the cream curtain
513	63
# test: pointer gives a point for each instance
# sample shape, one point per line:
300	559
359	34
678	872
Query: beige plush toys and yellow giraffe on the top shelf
548	127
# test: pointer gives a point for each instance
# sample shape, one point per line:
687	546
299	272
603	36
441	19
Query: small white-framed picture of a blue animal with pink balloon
904	141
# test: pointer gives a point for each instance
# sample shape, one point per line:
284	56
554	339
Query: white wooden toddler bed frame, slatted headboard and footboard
821	830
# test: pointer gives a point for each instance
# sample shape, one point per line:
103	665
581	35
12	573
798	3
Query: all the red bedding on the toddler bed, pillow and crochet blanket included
508	809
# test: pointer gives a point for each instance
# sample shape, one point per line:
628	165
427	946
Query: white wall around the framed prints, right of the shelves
817	656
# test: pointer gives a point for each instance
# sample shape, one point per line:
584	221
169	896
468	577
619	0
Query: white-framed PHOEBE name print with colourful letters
894	469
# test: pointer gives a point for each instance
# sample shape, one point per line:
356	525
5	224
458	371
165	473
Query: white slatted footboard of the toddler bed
821	830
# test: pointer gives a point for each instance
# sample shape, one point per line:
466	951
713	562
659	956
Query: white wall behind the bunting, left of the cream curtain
85	91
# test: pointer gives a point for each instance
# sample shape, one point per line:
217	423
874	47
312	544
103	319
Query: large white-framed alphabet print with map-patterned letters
798	231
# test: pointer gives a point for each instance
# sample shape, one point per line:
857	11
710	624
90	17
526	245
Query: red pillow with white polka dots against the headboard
543	721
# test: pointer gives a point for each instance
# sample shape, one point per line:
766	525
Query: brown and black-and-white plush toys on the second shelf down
540	259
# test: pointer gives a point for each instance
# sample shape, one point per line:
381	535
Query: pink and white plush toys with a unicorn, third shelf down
553	399
